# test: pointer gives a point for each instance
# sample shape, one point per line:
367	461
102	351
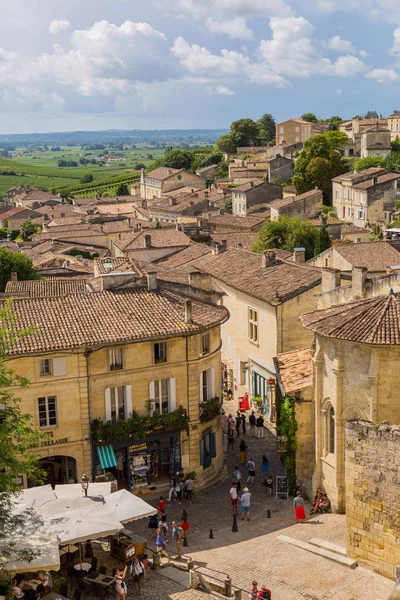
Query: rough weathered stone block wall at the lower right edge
373	494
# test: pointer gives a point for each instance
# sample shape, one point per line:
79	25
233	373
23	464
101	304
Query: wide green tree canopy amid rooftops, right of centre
289	233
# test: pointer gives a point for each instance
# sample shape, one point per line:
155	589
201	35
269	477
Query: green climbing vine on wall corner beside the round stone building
287	427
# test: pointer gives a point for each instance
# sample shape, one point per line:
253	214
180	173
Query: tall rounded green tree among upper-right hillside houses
320	161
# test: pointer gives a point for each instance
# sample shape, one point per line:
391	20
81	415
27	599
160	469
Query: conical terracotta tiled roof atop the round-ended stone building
371	321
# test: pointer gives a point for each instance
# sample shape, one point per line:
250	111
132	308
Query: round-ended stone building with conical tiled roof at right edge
355	358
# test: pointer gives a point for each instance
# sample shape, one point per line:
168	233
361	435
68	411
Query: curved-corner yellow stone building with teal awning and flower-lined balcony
126	343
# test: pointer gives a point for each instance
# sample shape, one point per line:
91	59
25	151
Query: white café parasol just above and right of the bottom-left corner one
81	524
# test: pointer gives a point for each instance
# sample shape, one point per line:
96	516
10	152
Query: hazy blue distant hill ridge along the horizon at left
134	136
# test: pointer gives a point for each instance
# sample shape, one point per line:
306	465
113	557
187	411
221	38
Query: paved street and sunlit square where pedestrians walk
255	553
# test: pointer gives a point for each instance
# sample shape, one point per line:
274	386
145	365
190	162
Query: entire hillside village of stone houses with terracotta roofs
165	303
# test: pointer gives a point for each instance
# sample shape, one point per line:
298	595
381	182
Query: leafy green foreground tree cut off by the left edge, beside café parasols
17	438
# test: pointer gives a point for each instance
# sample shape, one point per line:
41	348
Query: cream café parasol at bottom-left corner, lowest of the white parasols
48	558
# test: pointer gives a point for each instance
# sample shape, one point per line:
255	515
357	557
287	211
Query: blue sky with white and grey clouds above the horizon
161	64
